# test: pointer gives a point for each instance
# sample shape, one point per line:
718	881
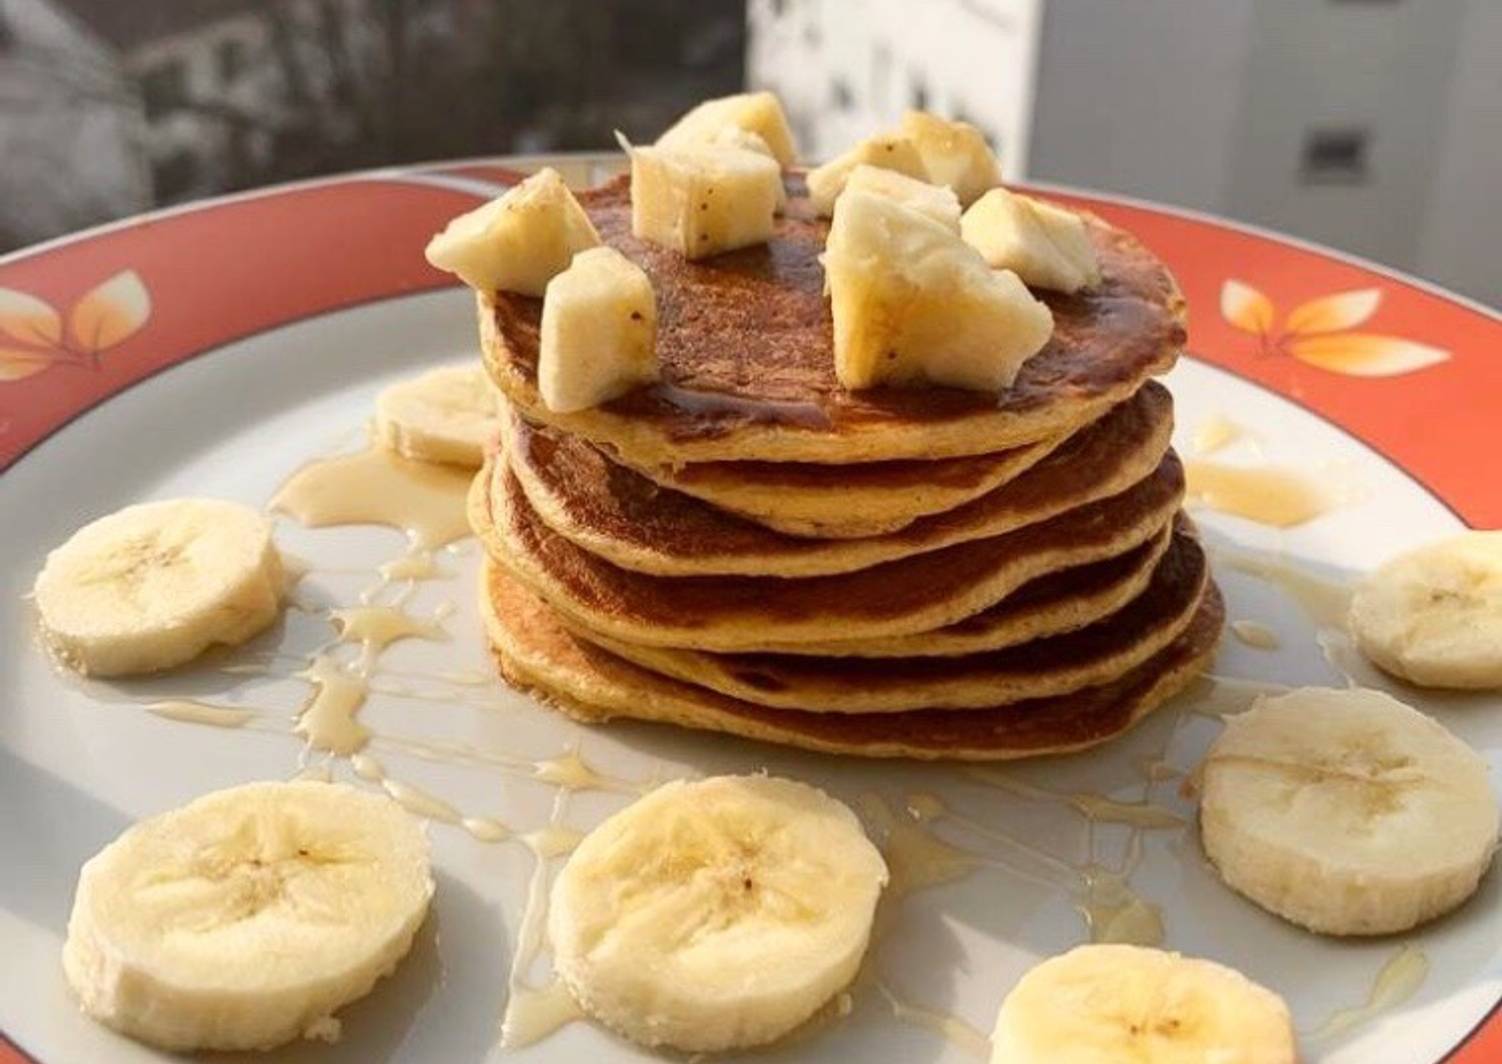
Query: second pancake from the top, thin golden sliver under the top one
873	497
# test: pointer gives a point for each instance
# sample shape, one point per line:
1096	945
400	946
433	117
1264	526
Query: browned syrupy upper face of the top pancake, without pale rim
746	337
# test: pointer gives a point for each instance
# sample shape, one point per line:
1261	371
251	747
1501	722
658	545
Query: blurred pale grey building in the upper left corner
70	124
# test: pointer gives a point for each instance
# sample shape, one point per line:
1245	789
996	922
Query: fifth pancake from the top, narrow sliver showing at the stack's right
1049	606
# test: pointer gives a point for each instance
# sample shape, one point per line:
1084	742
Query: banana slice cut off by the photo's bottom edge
1106	1005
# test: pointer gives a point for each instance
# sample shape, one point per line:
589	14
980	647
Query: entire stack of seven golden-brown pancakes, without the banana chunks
908	572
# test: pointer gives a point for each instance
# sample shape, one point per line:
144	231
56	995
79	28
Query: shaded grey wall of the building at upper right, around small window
1210	103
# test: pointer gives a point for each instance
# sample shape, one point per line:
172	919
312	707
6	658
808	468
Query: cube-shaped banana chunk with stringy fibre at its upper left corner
705	201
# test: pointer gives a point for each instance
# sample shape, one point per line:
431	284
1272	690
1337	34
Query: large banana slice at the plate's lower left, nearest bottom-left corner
247	917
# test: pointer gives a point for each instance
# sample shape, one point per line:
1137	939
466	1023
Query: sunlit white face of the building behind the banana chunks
849	70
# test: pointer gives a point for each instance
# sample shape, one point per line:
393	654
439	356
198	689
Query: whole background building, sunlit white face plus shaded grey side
1374	127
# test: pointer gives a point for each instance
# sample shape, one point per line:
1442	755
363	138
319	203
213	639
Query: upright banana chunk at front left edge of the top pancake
599	331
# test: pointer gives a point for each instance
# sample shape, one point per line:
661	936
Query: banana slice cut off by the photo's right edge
1434	615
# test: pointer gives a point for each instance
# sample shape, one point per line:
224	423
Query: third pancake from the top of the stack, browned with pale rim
635	524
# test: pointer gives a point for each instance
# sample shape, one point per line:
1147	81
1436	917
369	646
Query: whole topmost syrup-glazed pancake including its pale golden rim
747	355
